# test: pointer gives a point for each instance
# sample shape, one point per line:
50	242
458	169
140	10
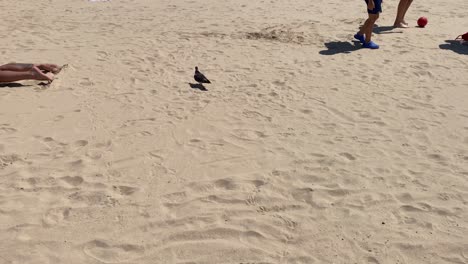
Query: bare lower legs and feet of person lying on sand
13	72
